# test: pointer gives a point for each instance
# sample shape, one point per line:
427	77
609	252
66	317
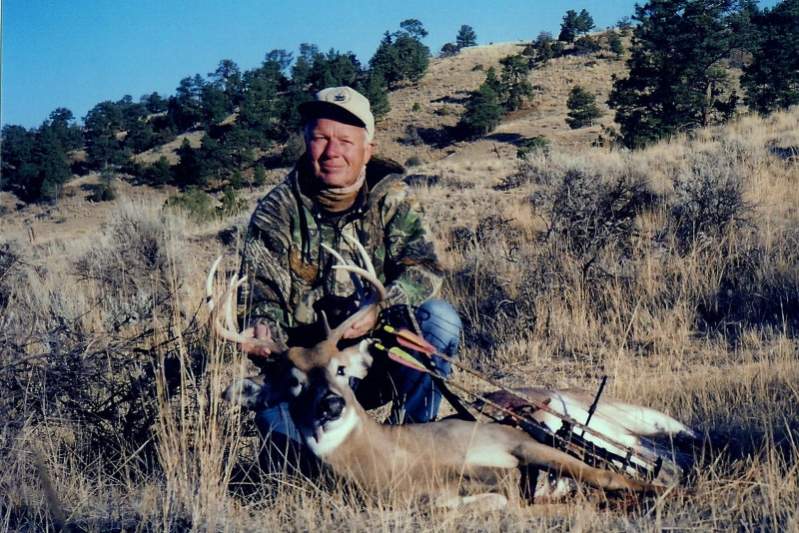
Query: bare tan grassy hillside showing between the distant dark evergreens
439	95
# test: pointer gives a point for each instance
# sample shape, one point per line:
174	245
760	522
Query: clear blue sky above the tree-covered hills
77	53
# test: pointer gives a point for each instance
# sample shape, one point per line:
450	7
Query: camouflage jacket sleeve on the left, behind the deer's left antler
263	298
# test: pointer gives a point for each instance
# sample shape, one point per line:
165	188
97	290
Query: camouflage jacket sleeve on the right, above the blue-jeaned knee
412	270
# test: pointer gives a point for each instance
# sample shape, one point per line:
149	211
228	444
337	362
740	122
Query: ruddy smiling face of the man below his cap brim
338	151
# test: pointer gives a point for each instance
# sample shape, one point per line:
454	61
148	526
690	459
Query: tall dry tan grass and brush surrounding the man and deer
673	270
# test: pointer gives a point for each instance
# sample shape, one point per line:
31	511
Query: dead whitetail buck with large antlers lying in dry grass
435	460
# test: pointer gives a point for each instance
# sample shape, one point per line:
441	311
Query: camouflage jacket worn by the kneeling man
290	275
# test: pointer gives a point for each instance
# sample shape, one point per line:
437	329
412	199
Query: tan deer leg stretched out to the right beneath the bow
531	452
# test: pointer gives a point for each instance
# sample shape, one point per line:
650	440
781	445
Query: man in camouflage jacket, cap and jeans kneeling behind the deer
337	190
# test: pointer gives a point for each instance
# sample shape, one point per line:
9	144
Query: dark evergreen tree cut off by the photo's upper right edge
771	81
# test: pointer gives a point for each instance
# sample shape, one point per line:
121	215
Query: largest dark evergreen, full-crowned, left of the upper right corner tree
673	81
